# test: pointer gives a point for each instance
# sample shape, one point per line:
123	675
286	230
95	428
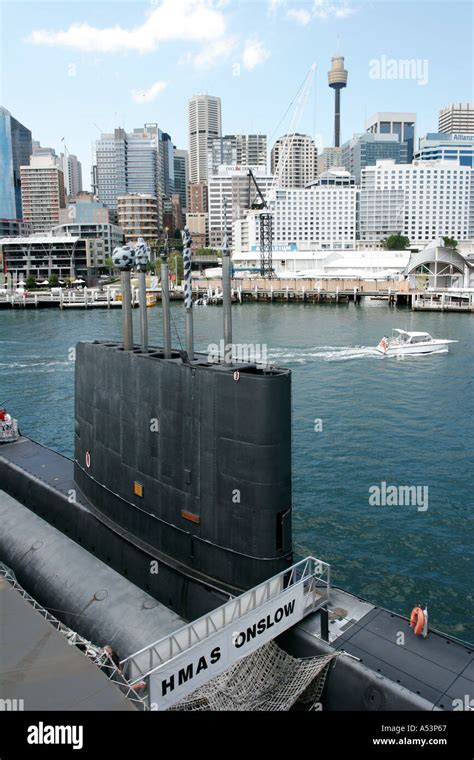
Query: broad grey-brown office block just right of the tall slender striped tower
237	150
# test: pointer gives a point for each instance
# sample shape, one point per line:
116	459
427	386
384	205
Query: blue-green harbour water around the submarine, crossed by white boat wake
359	420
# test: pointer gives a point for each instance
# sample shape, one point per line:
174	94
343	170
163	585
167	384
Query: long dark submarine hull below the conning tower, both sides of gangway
62	553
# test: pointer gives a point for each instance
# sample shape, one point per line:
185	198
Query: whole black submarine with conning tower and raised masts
179	500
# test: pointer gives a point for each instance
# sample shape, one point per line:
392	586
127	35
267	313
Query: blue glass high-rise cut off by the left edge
15	151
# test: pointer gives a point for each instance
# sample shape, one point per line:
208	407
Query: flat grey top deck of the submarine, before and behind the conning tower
439	668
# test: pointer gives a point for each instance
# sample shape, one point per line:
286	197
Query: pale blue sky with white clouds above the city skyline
71	69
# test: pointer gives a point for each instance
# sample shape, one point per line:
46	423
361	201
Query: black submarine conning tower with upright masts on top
188	455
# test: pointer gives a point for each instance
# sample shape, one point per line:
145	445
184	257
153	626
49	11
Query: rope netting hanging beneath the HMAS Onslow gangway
268	679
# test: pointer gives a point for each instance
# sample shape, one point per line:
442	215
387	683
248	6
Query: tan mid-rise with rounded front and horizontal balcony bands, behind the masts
138	217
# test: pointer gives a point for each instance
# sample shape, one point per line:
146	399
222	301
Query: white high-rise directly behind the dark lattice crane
232	184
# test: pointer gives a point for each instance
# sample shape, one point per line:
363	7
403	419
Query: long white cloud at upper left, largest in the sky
172	21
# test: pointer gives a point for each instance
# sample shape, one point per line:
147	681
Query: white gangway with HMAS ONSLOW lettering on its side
176	665
